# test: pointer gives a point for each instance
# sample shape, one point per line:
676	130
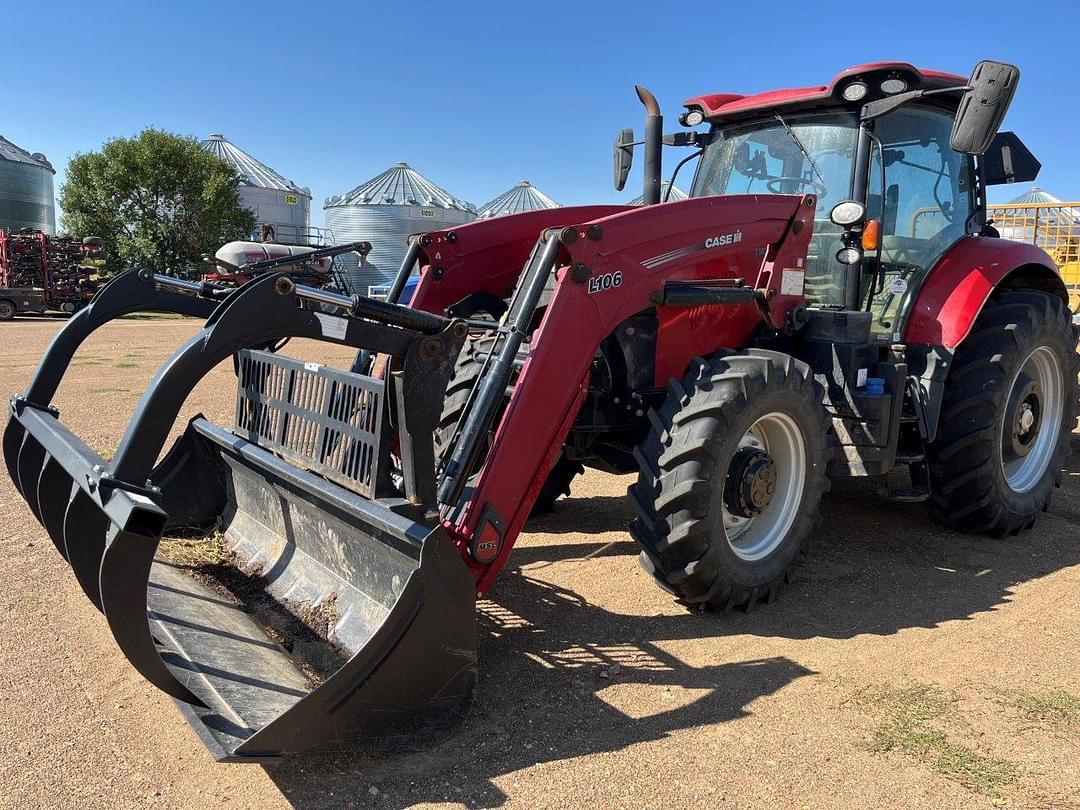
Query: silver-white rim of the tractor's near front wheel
755	537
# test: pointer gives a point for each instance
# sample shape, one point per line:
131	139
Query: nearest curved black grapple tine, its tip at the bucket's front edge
125	578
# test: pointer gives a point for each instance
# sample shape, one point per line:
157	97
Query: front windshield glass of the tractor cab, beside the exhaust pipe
812	155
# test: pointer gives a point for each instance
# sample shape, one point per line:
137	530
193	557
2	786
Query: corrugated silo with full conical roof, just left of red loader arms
384	211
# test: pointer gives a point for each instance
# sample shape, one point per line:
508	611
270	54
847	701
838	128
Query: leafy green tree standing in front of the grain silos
158	200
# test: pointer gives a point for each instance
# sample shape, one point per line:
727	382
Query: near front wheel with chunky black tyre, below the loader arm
708	533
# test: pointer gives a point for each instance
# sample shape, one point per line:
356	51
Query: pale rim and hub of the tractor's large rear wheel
1033	422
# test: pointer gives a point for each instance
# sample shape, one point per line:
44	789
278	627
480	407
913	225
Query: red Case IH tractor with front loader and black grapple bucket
785	327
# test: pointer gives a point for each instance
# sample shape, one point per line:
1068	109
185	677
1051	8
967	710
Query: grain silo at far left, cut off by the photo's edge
26	190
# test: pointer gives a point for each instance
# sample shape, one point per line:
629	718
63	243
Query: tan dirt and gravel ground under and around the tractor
908	667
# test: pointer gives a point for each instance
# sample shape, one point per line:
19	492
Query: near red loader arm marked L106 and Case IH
649	249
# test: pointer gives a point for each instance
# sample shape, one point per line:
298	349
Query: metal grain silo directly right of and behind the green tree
275	200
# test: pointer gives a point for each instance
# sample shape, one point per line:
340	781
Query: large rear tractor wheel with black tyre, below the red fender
1009	408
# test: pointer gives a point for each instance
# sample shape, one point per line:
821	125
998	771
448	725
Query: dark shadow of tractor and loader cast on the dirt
874	569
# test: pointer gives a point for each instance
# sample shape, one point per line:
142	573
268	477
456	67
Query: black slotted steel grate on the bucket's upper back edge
326	421
